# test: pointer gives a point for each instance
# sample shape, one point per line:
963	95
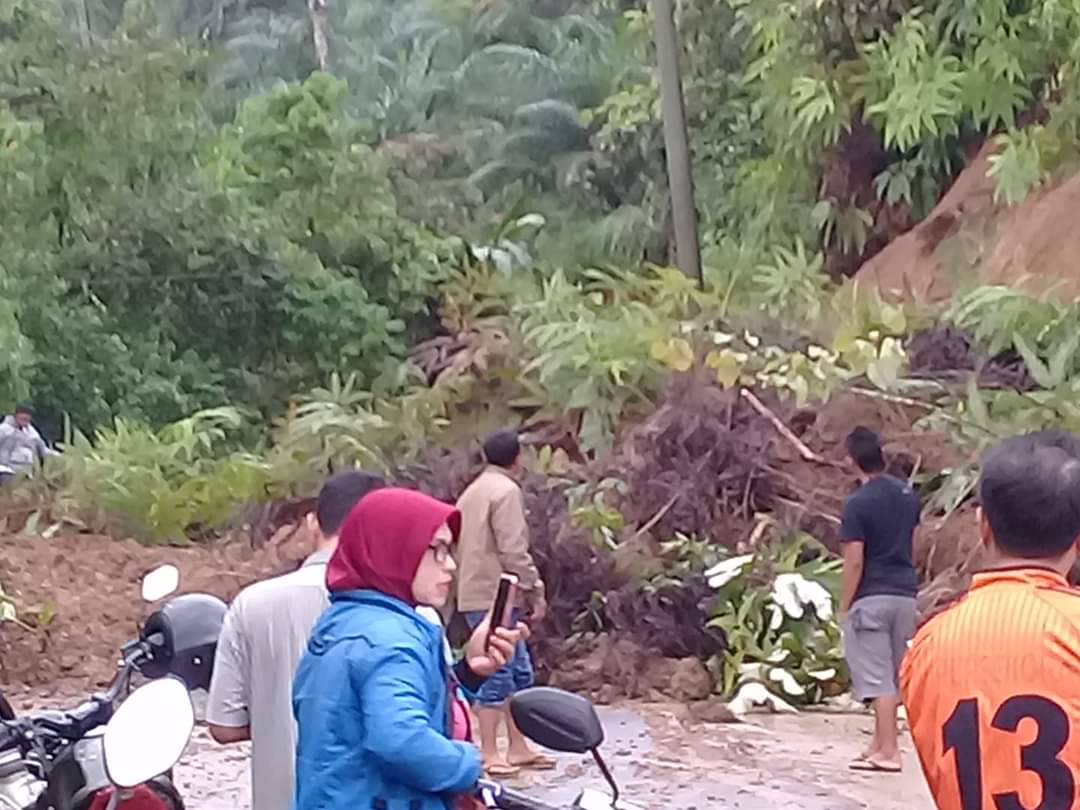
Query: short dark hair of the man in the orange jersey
1030	491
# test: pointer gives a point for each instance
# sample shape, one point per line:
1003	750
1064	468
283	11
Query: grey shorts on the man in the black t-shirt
876	632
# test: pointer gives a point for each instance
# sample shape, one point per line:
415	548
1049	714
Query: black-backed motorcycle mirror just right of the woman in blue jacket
558	720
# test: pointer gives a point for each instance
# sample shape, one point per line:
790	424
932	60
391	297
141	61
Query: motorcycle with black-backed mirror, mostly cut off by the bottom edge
562	722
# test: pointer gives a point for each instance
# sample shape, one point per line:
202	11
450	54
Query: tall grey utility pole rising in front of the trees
677	143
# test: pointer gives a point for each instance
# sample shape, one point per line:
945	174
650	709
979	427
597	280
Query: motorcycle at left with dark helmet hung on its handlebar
60	760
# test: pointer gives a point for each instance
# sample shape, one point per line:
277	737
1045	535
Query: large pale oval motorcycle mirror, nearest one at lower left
148	733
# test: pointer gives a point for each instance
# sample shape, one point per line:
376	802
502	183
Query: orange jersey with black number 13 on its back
992	688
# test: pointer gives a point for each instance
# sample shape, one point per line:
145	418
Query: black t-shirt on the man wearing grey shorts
884	514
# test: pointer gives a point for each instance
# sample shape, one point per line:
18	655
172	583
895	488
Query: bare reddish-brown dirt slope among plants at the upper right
968	237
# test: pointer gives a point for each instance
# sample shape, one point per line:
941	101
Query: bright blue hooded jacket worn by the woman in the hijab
371	703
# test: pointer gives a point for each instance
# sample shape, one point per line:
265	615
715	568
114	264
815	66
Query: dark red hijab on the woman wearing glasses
384	539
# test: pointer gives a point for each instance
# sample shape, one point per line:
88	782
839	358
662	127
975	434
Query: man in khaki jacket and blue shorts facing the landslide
495	539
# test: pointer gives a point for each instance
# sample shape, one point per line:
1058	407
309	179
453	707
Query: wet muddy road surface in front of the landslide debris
664	762
